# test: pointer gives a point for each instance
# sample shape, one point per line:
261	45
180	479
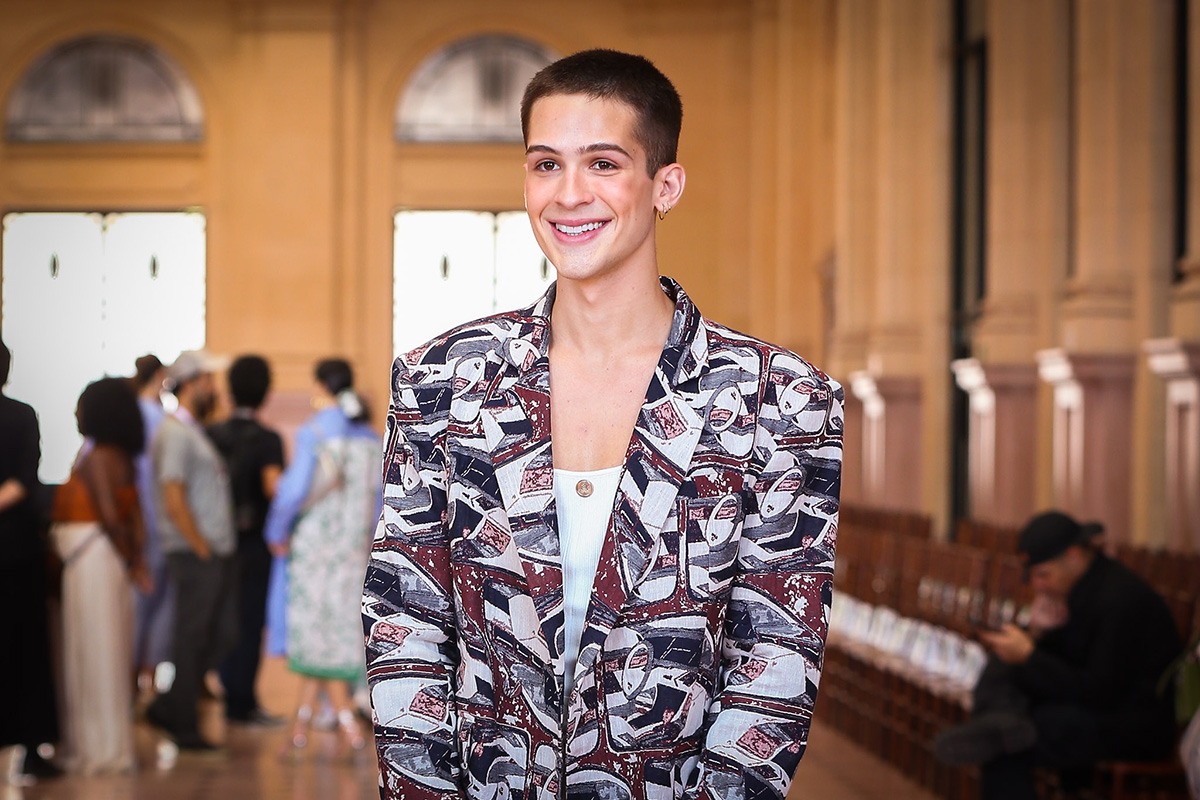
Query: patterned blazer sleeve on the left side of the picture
409	611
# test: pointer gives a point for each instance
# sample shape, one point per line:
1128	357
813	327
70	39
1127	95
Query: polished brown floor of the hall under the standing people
253	768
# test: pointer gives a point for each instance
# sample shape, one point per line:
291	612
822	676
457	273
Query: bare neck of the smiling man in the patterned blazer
610	314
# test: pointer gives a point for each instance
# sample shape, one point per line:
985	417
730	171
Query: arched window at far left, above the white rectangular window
105	89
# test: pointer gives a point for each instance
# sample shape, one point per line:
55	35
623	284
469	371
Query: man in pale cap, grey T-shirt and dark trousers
199	537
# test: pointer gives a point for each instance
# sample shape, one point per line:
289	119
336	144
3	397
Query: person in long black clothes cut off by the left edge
27	687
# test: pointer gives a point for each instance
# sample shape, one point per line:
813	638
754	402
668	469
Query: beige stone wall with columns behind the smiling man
818	141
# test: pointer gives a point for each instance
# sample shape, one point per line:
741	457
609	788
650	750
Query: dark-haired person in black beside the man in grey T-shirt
254	455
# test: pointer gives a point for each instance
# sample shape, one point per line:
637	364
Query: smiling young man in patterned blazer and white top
635	606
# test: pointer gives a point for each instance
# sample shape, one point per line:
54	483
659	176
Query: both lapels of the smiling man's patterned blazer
517	429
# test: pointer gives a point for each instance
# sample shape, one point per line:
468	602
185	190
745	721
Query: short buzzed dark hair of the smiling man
611	75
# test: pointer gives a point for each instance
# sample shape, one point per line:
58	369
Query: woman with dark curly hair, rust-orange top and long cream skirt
98	533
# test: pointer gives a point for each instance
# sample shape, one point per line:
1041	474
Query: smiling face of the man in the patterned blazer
587	193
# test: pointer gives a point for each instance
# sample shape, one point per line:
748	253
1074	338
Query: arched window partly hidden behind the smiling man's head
470	92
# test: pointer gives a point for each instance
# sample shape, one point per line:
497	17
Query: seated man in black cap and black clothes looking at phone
1083	690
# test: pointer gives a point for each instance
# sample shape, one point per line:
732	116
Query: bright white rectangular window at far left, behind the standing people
100	312
